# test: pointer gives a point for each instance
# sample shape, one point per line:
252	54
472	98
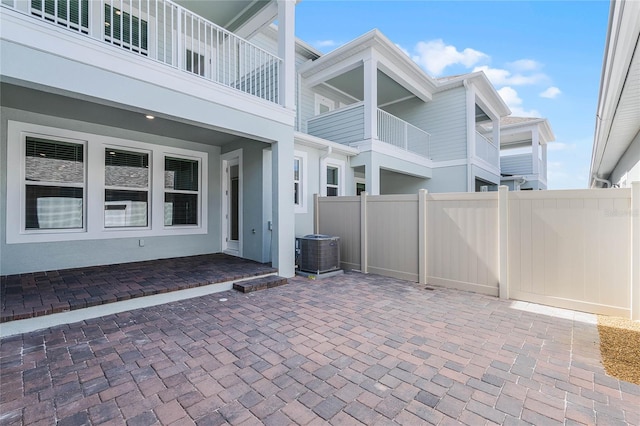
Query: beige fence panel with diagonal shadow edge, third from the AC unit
462	235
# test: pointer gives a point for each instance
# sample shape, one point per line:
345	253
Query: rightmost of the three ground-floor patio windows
181	191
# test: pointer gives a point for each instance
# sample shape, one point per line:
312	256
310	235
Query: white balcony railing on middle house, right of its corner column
395	131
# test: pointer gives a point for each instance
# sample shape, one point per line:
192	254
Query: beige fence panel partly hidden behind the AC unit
340	216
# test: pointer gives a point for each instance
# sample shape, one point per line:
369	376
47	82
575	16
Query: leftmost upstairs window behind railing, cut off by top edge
73	14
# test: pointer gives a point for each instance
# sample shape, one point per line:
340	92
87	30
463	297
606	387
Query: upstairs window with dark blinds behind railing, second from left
125	30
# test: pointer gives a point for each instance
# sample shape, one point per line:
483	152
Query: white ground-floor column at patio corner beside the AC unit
283	233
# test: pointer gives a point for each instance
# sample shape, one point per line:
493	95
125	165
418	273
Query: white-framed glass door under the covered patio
232	204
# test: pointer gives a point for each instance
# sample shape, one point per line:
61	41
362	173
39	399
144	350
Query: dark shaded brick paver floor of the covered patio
43	293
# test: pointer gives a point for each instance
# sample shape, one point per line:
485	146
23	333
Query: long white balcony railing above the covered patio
166	32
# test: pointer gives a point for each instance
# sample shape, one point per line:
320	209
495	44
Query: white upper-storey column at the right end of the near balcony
287	52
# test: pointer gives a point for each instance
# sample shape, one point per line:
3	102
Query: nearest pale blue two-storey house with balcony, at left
134	130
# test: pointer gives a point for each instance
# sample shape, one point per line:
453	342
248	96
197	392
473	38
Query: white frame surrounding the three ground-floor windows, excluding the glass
94	229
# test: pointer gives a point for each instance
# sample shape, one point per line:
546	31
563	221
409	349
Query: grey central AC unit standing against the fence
319	253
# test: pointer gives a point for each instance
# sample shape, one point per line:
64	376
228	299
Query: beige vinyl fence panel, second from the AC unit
392	223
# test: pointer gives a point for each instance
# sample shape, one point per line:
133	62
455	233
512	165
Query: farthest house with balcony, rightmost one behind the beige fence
523	152
